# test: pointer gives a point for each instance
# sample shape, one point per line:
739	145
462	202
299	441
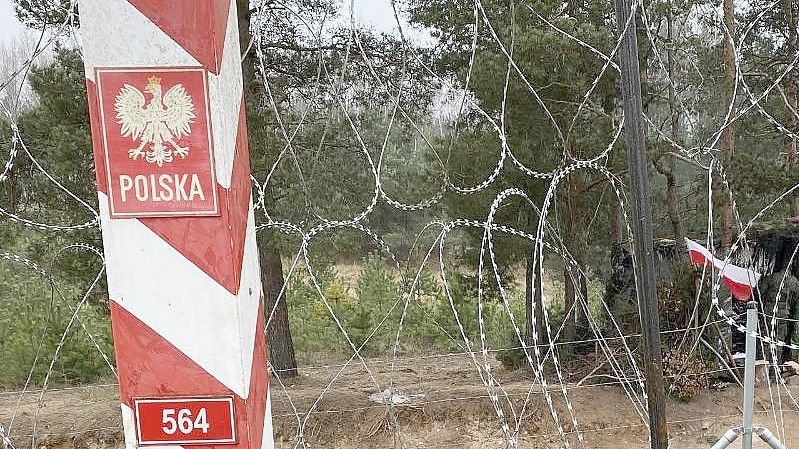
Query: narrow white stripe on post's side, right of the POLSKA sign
225	92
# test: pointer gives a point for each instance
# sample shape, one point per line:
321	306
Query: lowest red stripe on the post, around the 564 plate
150	366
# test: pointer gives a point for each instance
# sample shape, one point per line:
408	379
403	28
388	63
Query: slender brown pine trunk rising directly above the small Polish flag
728	138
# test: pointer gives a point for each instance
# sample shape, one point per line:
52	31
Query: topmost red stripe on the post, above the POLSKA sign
199	26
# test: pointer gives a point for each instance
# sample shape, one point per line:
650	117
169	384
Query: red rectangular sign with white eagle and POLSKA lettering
157	139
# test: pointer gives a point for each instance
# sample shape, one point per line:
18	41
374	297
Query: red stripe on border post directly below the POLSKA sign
216	244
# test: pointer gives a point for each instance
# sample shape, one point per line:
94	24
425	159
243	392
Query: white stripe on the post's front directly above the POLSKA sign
139	43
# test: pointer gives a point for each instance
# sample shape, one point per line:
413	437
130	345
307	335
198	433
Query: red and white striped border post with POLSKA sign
185	288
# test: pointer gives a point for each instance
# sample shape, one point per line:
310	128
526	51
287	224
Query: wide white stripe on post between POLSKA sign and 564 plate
179	301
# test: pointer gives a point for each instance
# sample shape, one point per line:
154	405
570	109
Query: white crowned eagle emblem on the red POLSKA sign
165	119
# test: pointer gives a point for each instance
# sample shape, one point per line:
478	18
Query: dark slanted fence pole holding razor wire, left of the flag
642	225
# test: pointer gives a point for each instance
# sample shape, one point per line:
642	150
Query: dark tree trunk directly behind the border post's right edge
278	331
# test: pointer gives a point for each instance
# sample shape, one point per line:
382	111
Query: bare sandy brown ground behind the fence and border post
455	411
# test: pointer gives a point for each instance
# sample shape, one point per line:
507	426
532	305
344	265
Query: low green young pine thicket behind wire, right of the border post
375	307
